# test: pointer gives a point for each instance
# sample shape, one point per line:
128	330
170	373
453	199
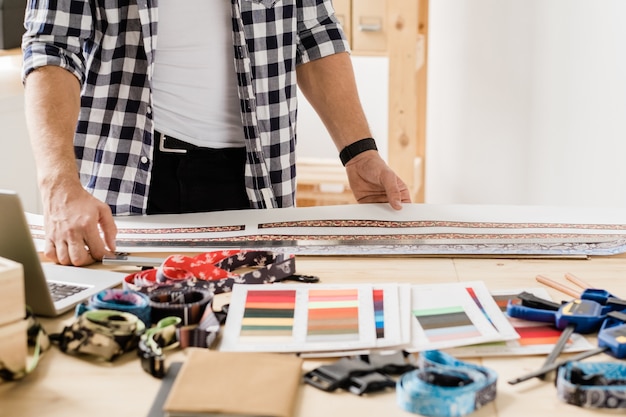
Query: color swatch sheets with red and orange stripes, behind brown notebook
304	318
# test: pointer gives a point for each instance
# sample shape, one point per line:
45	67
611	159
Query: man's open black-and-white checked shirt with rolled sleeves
109	46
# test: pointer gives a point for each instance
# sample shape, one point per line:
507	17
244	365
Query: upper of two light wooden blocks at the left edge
12	298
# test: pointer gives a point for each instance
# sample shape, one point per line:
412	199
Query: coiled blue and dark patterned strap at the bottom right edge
592	384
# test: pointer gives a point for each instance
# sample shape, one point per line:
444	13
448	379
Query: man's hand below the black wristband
373	181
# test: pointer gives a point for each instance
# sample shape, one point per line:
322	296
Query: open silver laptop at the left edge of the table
50	289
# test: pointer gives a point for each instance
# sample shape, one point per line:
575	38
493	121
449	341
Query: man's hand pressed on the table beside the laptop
73	221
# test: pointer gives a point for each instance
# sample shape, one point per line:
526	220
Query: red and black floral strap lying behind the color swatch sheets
213	271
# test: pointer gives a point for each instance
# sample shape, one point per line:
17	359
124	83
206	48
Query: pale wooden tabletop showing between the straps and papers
67	386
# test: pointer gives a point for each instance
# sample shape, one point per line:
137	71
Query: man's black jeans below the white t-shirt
200	180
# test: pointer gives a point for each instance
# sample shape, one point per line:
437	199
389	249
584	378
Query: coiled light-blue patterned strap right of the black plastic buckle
445	387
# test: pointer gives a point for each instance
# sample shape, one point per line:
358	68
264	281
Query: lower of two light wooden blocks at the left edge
14	346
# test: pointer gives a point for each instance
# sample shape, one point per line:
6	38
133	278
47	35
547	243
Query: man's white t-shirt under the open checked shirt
194	83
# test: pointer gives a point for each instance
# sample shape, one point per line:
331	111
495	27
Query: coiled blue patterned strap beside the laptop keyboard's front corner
121	300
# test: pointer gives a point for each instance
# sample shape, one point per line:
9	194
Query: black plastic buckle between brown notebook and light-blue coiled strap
338	374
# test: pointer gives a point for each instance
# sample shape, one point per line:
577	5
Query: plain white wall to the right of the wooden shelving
527	102
